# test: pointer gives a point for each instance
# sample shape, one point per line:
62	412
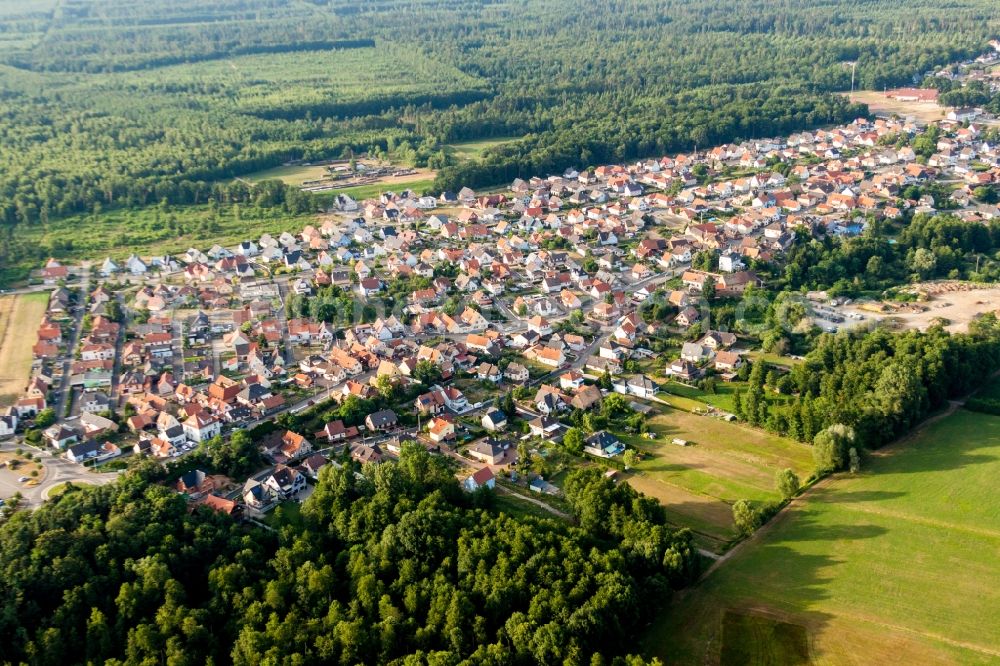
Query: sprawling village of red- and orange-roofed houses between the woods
470	323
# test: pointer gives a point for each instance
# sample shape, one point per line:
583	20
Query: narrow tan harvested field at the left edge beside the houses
19	318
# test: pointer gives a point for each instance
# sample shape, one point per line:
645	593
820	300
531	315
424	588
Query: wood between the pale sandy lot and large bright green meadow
878	383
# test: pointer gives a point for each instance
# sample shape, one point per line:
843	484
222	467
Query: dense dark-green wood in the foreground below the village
399	566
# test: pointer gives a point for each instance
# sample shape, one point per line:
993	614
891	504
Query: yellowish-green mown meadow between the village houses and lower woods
723	462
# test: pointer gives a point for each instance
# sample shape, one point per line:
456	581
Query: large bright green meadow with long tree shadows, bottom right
895	565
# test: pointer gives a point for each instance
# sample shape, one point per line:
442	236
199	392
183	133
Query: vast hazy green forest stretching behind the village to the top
112	102
